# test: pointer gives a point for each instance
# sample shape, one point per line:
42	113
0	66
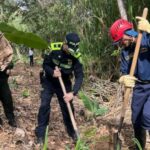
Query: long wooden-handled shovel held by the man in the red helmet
117	140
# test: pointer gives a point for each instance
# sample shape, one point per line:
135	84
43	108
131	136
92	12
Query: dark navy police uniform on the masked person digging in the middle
68	65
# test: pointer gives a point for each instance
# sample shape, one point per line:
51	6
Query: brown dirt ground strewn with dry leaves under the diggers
96	132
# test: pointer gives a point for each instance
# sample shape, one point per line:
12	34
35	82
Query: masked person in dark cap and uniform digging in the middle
68	61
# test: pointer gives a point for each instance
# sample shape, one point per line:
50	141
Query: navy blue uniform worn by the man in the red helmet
141	92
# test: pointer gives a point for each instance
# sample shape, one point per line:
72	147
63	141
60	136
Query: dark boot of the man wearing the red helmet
140	135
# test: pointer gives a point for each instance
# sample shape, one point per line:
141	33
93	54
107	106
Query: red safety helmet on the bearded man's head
118	28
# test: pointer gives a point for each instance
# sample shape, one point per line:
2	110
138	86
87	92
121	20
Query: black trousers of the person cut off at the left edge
5	94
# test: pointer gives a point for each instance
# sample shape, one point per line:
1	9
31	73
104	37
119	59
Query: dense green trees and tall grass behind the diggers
52	19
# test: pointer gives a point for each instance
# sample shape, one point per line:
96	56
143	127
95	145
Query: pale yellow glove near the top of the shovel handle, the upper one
143	24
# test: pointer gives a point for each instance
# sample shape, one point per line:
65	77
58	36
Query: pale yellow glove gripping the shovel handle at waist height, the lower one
128	81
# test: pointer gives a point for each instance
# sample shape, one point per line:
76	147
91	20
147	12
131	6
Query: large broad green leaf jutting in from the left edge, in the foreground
19	37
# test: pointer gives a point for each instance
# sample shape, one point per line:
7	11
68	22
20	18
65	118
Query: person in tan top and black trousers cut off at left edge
6	65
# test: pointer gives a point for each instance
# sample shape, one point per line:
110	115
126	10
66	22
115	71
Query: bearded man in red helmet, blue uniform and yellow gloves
125	36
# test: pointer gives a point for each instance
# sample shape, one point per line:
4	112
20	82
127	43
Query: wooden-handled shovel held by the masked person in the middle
69	109
